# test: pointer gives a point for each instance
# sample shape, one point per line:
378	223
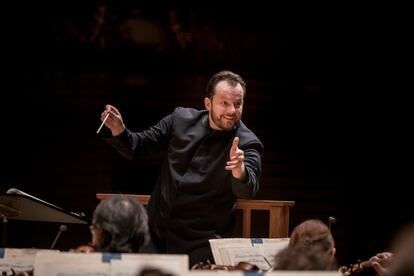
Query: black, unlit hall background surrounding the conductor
324	96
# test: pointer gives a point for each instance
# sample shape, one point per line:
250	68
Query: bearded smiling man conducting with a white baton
210	158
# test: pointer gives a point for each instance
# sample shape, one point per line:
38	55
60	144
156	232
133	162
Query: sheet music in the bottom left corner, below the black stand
20	259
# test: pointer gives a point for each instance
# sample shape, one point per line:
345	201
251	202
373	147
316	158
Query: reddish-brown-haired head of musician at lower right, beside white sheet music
311	233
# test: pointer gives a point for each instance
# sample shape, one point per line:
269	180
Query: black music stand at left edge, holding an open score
19	205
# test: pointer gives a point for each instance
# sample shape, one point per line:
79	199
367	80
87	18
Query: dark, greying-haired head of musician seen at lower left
119	224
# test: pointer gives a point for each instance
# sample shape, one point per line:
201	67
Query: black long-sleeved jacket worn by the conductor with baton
194	195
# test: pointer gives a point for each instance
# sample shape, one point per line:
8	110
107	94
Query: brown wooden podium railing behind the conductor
278	213
